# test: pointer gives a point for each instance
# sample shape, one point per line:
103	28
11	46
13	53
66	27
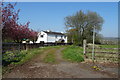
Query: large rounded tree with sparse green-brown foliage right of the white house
83	24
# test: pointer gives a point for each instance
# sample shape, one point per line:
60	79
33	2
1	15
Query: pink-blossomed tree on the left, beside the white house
13	30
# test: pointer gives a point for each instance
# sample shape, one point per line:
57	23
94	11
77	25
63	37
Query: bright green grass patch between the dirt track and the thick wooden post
73	54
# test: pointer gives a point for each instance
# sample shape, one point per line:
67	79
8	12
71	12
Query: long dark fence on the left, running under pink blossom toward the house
24	46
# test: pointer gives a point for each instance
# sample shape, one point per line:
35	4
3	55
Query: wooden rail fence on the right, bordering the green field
104	54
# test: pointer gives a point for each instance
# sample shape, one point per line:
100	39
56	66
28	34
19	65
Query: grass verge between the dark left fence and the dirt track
22	57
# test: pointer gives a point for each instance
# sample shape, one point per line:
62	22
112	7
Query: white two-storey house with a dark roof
49	36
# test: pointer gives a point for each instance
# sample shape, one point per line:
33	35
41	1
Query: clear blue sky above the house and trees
50	15
